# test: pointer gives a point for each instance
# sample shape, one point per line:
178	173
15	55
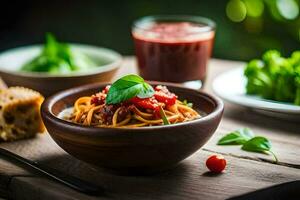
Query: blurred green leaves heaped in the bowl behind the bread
58	58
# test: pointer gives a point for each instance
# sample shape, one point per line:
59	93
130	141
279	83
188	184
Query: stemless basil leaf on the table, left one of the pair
236	137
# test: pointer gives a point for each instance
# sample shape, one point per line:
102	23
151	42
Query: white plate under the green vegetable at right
230	86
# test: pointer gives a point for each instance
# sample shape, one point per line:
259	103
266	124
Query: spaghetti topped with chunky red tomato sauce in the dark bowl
135	112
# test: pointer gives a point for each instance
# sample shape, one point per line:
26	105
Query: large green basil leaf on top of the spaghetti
128	87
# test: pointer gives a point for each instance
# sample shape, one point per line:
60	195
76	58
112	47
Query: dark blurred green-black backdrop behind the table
108	24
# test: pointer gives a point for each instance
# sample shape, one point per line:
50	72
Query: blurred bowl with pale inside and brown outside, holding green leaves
108	62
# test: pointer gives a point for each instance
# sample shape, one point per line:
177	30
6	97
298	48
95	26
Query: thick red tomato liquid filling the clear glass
173	51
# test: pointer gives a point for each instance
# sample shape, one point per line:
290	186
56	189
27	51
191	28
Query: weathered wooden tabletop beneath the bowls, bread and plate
190	180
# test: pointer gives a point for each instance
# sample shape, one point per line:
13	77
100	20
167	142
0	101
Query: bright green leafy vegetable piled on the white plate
275	77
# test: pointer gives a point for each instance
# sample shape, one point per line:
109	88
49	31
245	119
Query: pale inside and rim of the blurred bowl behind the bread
13	59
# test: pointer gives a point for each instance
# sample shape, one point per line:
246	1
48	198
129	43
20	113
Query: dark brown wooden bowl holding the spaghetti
132	150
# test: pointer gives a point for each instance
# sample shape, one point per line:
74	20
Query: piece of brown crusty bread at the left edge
20	113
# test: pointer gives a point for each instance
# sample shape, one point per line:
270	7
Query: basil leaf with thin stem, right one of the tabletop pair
259	144
